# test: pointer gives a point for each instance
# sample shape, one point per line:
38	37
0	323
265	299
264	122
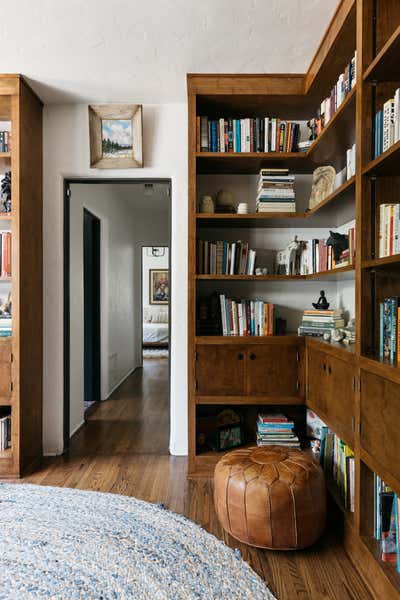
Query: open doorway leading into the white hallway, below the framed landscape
107	222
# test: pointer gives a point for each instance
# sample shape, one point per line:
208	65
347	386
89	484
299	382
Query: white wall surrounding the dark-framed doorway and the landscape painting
66	154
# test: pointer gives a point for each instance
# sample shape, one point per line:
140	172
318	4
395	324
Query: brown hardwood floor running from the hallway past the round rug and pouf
123	449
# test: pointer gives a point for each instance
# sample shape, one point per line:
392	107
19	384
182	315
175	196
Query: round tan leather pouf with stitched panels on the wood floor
271	497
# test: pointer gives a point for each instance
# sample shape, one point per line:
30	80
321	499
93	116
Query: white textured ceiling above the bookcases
140	51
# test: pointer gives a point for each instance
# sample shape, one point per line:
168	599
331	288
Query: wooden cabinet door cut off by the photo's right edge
380	420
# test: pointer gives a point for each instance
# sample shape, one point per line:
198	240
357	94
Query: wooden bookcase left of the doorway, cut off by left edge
21	362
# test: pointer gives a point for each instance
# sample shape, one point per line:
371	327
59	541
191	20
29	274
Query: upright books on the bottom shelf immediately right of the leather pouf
337	460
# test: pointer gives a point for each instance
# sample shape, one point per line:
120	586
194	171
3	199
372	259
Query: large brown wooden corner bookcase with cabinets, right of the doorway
349	388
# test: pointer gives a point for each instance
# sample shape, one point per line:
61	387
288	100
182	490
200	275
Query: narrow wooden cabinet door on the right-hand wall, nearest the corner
317	380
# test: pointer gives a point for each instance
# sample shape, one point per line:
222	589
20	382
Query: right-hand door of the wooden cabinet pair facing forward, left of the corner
272	370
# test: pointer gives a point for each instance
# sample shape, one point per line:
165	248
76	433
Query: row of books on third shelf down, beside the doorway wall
225	258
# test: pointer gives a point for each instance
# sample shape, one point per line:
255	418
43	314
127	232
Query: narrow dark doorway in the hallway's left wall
91	309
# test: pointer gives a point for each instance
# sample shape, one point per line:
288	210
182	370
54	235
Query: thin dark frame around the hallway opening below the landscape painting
66	279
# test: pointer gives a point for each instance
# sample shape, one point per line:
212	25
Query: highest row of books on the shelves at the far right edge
387	125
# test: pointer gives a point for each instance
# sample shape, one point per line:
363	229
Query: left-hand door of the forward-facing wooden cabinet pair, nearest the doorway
220	370
